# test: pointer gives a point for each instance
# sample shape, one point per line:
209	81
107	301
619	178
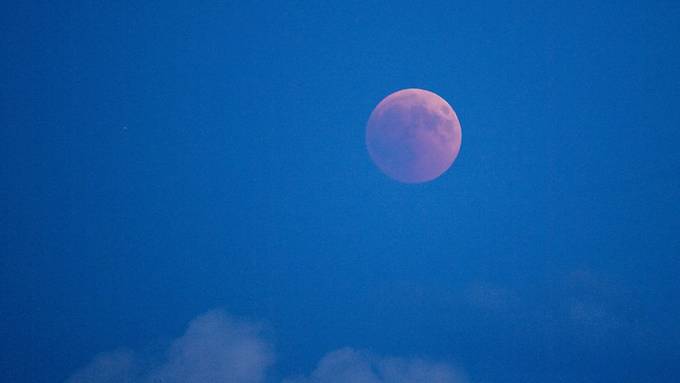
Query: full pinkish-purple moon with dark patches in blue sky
413	135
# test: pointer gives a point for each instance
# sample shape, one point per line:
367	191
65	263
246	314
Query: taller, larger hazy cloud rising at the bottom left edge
215	348
